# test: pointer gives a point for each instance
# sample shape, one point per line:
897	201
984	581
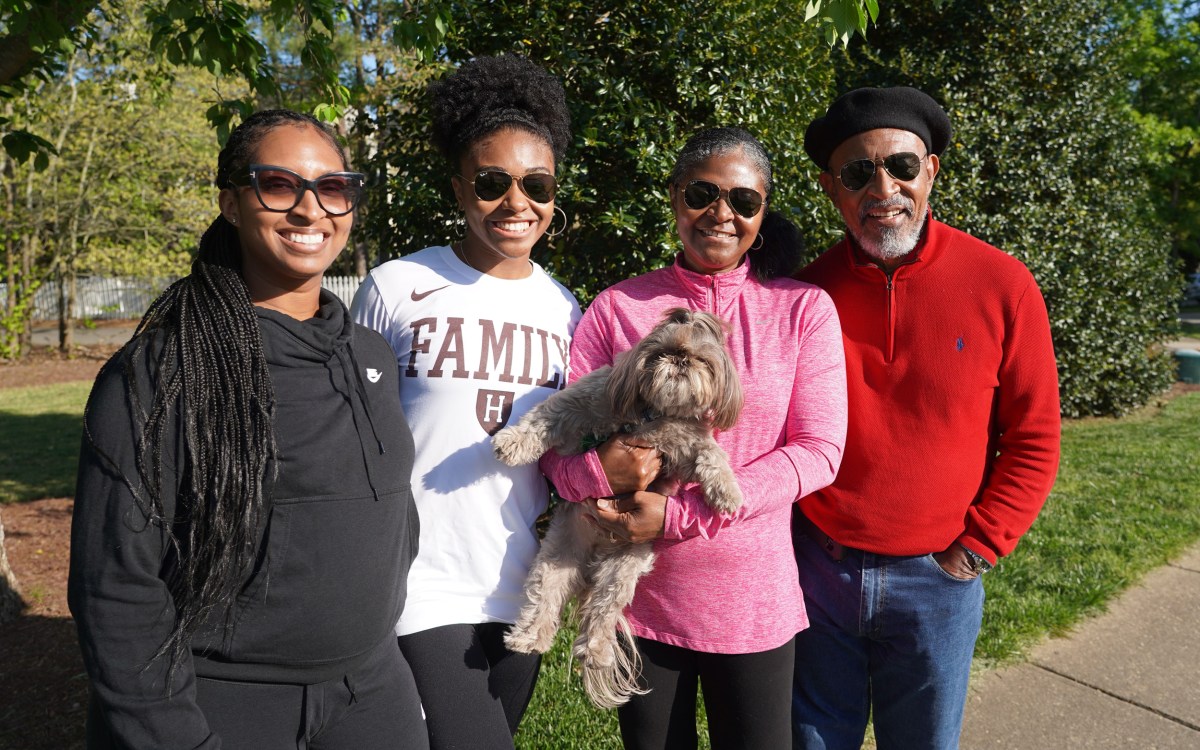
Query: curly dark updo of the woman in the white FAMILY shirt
490	94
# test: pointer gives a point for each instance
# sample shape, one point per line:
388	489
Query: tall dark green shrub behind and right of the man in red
1046	164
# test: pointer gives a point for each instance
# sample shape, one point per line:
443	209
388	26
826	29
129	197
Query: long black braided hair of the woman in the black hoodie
213	406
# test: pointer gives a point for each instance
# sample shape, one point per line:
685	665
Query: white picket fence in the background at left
103	298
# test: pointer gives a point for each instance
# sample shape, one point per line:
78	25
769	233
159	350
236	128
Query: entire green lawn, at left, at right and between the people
1126	502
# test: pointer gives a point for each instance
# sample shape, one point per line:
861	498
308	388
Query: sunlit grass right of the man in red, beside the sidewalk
1126	502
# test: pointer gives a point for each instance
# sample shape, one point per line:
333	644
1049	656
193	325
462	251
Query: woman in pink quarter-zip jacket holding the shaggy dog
723	605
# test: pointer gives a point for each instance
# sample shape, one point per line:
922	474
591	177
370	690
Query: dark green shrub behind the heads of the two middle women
640	79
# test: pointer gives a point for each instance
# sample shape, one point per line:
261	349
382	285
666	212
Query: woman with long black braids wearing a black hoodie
244	523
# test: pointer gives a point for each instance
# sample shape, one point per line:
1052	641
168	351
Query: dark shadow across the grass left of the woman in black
39	455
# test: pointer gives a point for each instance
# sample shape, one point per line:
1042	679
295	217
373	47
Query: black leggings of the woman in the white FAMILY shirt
473	689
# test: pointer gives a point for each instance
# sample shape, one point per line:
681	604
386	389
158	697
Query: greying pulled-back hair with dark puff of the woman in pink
783	247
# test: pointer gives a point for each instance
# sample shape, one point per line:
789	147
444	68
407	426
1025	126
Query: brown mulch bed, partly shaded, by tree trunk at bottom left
44	689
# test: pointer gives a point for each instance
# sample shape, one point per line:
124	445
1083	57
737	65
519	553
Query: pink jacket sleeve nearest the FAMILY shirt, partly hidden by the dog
579	478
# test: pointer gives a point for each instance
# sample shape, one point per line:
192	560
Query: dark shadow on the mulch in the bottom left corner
44	689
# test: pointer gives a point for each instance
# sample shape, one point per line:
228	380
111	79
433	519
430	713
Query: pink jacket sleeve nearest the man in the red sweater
815	434
